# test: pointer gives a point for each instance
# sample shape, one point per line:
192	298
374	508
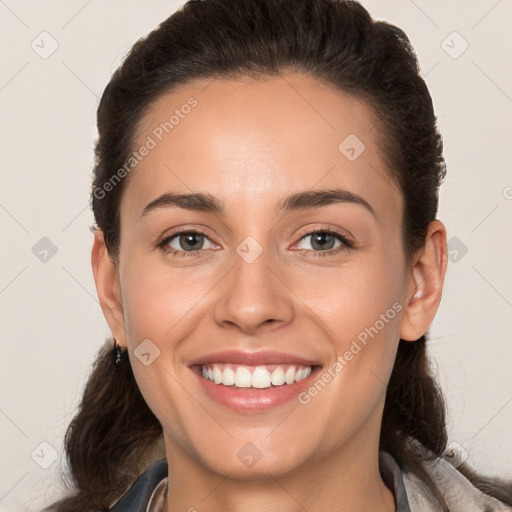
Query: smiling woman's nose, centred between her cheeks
254	296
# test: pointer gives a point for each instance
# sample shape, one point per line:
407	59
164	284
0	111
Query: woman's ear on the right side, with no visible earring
425	284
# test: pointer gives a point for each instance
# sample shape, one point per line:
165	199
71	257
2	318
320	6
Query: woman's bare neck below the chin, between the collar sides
347	479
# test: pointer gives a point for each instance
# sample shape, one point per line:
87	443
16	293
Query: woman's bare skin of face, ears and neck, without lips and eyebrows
250	143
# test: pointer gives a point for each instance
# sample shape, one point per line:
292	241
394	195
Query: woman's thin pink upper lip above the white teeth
253	358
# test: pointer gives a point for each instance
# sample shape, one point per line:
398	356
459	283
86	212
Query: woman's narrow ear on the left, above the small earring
107	286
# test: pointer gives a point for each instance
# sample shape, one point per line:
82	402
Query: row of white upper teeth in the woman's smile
259	377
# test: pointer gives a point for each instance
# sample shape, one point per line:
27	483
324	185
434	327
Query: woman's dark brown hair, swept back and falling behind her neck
110	440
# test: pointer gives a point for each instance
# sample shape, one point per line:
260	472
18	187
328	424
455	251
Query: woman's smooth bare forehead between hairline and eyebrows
250	142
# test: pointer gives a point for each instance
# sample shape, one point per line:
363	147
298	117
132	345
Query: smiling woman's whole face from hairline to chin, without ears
269	281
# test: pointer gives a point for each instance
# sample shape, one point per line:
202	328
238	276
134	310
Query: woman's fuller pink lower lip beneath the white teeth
252	399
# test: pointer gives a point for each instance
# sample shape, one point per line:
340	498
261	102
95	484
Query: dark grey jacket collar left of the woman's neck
142	492
